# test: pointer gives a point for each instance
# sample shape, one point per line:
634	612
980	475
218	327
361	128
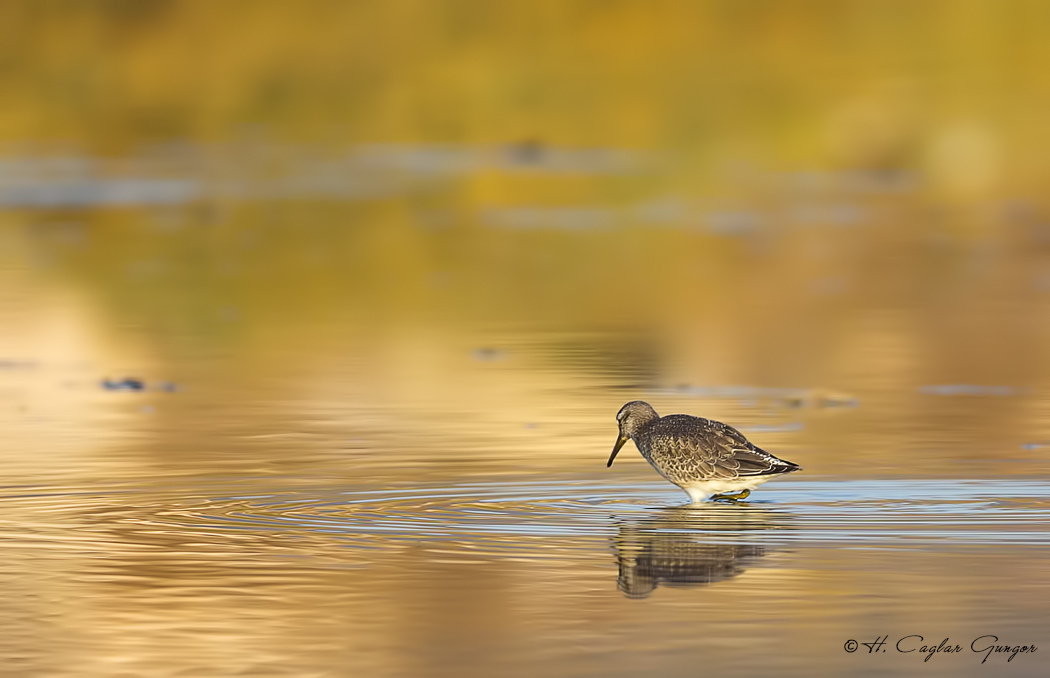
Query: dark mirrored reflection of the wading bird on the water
691	546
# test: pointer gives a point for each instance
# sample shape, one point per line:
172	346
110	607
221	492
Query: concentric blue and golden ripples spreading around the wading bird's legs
888	512
